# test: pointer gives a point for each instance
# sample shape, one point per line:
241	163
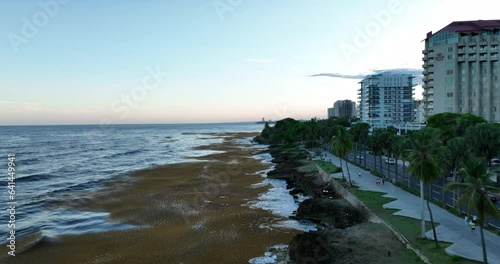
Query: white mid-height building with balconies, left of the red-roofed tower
386	99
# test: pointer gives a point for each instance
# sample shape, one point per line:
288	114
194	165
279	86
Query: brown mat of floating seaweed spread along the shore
185	213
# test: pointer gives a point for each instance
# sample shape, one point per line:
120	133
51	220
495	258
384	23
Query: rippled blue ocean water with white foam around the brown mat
53	163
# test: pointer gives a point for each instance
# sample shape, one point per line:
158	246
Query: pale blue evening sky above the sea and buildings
180	61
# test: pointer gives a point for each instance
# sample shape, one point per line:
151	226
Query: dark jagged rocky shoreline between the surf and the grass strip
346	233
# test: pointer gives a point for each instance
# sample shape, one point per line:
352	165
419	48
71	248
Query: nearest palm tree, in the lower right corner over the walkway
475	189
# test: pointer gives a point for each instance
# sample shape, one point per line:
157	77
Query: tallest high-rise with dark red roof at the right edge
461	69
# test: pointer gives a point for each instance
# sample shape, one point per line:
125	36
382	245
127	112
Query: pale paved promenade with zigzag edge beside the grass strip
451	228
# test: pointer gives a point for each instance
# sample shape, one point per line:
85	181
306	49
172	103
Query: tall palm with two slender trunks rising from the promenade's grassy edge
424	156
